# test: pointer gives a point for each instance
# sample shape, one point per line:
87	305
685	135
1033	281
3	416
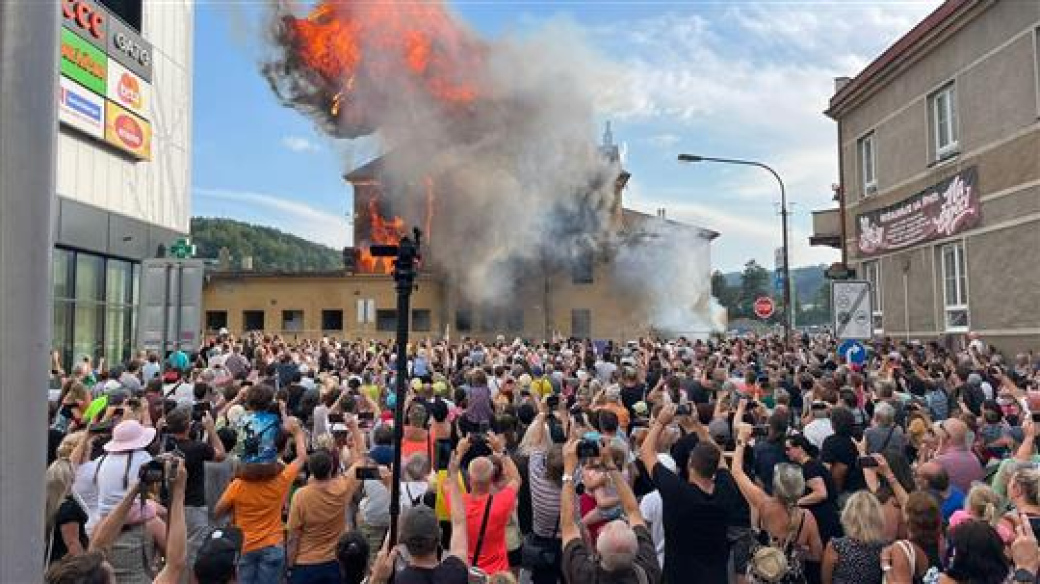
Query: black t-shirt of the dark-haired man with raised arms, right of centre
696	549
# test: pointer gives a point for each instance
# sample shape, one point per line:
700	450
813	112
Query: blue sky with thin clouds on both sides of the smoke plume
730	79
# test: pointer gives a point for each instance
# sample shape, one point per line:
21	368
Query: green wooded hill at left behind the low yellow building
271	249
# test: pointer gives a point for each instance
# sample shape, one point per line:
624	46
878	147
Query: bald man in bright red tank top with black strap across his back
489	505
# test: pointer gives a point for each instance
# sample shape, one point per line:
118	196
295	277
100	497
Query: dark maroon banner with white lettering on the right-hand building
940	211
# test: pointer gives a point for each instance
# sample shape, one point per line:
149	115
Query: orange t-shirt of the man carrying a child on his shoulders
257	507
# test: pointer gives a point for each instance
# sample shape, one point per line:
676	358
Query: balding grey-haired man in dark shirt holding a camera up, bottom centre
625	547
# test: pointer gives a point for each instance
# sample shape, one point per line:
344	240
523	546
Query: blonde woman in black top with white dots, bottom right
855	559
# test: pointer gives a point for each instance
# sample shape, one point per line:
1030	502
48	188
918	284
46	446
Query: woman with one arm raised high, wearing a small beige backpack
779	519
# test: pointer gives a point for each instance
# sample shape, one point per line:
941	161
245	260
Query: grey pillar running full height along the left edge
29	129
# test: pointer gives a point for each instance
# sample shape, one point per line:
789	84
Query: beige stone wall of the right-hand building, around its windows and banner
992	55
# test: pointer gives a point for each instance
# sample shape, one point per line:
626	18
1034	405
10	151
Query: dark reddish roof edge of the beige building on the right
935	23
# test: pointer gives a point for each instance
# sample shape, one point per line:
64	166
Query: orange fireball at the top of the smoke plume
362	52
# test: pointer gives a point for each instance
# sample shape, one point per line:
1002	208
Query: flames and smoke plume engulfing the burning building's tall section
490	152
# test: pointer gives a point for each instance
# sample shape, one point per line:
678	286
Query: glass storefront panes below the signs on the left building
95	306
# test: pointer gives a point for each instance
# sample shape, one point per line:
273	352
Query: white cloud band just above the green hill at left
289	216
